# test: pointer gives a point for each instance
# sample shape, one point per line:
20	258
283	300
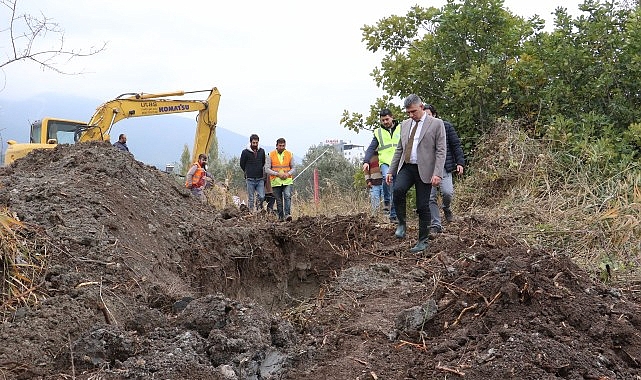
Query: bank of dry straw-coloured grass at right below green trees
564	208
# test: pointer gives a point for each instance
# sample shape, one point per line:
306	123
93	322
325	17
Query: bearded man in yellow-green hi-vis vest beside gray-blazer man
384	142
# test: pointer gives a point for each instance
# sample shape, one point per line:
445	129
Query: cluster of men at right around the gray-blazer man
423	151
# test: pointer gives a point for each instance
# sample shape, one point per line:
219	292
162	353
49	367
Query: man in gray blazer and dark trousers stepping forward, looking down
418	161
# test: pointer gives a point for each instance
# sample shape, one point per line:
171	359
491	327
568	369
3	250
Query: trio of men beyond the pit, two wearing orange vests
269	177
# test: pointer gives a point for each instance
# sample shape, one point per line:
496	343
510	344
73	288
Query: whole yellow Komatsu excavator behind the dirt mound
48	132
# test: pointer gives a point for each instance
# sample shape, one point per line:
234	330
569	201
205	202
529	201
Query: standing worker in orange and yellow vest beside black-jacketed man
279	165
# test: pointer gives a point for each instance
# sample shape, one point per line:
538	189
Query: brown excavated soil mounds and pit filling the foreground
140	281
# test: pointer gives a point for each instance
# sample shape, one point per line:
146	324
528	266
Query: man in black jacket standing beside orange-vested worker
252	161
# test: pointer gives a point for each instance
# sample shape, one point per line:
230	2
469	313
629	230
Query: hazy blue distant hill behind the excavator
154	140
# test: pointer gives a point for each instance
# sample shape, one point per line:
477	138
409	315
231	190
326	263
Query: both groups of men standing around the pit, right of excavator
423	151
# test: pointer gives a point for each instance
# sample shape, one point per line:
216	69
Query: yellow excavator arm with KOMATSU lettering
137	105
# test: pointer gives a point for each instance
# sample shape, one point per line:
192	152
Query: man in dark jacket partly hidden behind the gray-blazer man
454	161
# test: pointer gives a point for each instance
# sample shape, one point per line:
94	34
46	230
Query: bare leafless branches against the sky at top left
26	31
